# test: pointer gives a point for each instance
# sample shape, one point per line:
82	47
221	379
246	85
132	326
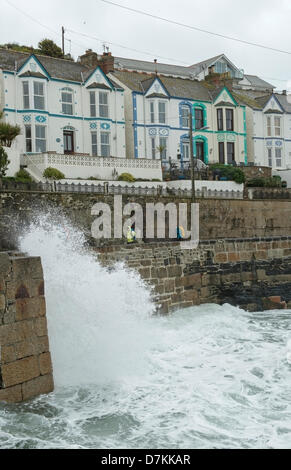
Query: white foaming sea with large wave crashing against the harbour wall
207	377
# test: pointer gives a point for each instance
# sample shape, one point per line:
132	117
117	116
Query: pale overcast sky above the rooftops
261	21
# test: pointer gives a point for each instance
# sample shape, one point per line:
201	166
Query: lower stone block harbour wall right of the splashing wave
241	272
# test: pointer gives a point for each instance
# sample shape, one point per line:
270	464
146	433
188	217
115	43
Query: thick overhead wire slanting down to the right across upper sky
194	28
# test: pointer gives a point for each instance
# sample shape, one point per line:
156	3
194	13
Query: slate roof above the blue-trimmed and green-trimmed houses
179	87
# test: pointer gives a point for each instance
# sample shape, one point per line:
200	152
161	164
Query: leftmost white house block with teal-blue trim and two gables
61	106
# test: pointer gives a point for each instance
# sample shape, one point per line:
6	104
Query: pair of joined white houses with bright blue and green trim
157	111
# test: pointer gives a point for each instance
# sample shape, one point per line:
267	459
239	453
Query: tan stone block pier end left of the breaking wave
25	361
